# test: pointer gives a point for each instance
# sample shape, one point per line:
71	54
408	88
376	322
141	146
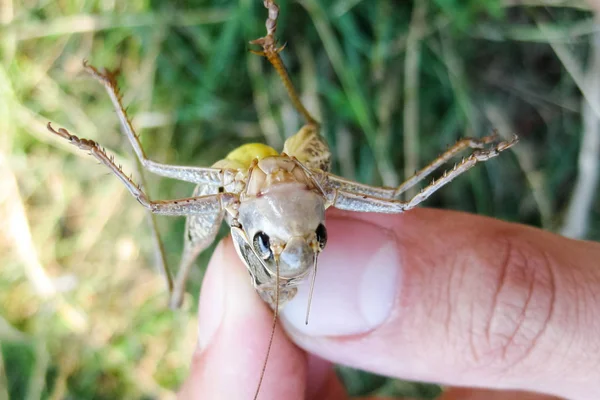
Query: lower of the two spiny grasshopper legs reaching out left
186	206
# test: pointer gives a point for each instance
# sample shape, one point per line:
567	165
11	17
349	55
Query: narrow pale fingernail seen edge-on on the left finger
211	305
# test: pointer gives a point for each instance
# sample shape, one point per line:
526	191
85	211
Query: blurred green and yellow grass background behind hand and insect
83	310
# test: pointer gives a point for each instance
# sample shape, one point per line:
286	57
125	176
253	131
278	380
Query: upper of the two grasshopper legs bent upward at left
199	175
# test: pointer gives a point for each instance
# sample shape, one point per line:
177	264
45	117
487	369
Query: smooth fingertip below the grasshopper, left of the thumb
234	329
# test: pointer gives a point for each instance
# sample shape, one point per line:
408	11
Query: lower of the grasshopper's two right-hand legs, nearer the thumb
360	200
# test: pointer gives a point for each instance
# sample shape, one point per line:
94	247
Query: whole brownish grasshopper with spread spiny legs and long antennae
273	202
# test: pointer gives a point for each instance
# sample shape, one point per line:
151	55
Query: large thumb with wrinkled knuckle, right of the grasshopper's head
457	299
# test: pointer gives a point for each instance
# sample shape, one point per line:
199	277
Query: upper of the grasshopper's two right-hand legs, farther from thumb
391	193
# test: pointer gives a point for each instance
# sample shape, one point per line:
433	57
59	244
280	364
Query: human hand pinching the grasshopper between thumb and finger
428	295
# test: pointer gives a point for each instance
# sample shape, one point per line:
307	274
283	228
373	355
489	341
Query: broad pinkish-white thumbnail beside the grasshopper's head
357	282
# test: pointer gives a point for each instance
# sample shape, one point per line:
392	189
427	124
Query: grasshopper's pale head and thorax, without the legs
282	205
